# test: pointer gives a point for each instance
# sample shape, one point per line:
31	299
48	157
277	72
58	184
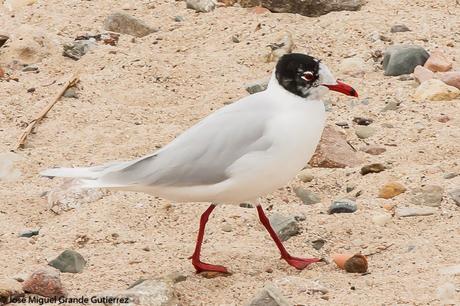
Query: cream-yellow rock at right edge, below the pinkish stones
436	90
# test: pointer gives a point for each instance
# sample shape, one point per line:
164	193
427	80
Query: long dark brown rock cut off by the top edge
312	8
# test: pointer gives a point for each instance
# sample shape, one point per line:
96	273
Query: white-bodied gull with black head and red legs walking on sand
239	153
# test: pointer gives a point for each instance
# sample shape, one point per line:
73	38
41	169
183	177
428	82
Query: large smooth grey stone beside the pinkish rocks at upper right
402	59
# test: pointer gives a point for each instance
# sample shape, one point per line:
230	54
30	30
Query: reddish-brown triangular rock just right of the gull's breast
333	151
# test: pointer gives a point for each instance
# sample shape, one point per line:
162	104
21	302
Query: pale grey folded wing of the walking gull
202	154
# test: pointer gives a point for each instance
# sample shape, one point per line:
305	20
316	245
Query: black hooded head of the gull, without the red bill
298	73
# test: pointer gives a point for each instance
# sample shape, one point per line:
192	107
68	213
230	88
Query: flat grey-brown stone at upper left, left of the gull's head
126	24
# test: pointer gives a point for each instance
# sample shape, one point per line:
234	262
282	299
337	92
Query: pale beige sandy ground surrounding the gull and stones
138	95
